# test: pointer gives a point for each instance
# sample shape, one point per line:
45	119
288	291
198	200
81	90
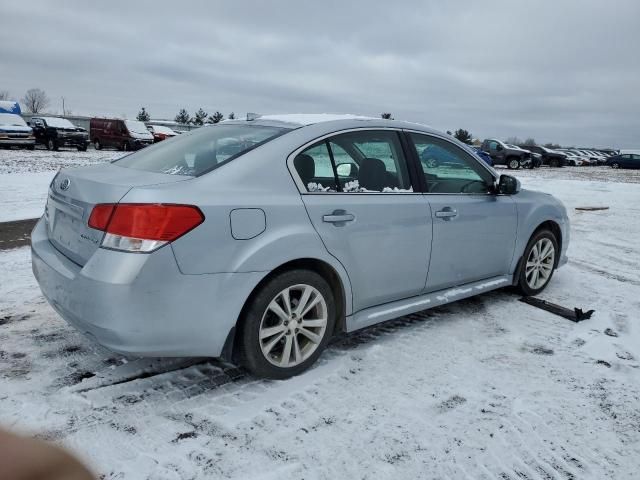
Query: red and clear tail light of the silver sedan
135	227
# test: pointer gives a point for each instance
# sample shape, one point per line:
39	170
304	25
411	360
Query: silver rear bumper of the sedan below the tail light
141	304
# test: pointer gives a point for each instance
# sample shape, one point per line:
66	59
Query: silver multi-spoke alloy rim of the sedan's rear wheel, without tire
293	325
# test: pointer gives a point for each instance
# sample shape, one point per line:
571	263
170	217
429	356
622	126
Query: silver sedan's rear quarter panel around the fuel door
259	180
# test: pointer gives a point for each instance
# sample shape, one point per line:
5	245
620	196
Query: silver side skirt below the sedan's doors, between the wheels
371	316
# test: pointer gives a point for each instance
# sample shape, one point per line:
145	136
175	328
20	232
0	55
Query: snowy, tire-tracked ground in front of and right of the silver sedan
484	388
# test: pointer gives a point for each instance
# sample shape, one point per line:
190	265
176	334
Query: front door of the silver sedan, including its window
474	231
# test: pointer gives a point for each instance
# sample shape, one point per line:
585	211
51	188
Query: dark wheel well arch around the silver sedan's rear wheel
323	269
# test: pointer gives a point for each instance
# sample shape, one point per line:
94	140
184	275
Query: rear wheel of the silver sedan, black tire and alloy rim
275	341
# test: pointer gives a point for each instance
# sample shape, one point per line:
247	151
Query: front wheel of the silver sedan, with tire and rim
538	263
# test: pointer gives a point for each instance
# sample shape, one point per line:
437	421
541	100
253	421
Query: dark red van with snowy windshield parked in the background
118	133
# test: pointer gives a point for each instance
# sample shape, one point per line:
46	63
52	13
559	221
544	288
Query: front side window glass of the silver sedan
449	169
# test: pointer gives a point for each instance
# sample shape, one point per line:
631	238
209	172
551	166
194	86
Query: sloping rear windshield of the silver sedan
201	150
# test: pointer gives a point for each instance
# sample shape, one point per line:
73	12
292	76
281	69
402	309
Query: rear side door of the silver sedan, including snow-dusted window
358	194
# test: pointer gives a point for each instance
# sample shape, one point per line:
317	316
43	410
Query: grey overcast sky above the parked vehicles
560	71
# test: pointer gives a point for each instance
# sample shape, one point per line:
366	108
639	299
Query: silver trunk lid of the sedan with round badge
74	193
